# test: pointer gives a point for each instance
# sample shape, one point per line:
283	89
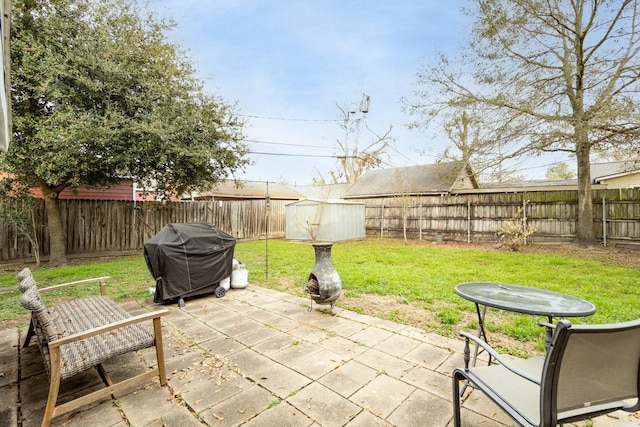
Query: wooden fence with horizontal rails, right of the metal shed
477	217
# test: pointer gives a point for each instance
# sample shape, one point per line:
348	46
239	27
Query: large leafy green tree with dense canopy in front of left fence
99	94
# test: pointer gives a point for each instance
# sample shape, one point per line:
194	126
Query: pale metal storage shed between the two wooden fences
328	220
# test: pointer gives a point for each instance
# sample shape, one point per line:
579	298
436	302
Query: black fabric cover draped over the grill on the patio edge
188	259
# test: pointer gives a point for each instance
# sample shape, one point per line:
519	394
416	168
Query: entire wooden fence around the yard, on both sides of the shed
110	226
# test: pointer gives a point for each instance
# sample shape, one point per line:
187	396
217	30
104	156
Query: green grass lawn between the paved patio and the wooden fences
412	284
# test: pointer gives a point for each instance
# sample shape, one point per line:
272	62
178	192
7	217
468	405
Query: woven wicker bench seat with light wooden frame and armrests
84	333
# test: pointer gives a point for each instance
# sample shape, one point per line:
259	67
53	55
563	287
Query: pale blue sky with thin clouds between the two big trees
298	60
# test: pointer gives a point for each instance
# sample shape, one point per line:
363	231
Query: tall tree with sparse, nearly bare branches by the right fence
561	75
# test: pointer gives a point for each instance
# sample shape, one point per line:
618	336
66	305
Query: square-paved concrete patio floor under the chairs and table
258	357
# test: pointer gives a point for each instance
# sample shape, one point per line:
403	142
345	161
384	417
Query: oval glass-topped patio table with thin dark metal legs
521	299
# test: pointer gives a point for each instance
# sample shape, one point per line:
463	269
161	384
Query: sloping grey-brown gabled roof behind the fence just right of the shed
438	178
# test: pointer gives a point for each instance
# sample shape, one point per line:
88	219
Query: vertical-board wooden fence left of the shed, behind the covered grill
114	226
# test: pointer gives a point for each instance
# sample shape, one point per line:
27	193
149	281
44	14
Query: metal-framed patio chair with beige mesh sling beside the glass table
589	370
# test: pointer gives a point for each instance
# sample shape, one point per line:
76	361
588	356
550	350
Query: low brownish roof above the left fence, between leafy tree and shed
248	190
